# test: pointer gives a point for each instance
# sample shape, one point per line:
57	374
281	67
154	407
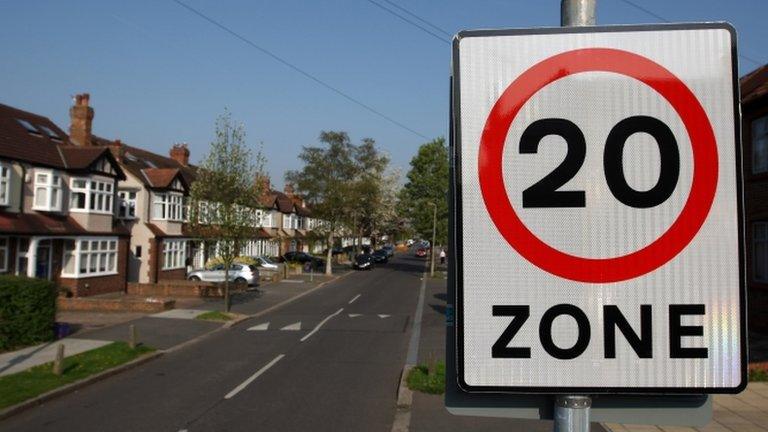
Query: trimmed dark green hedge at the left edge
27	311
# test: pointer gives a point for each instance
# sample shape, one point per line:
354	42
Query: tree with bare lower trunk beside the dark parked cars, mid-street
326	183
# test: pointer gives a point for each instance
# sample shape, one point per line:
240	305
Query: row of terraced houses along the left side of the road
93	213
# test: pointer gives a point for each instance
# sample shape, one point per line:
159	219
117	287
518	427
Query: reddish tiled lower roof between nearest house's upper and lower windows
49	224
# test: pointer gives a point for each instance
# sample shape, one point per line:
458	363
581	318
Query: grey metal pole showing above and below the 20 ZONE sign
572	411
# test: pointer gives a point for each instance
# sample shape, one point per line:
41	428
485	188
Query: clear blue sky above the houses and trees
159	74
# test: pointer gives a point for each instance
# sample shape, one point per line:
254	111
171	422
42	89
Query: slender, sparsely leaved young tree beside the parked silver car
225	193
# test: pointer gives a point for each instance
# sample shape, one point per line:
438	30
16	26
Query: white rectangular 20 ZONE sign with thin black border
599	213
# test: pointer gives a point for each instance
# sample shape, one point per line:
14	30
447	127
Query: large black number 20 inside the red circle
544	193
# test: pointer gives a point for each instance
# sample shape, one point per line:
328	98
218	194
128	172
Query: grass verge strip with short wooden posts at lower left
18	387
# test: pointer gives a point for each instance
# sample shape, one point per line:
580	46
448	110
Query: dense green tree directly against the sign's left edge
427	185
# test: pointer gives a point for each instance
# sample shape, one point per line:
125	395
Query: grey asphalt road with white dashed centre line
337	372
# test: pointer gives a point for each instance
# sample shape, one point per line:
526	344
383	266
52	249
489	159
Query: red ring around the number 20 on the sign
598	270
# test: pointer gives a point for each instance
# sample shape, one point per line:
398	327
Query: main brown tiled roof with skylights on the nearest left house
45	143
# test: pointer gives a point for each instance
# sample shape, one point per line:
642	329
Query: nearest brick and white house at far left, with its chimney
57	201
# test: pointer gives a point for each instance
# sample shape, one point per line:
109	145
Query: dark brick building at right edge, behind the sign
754	107
